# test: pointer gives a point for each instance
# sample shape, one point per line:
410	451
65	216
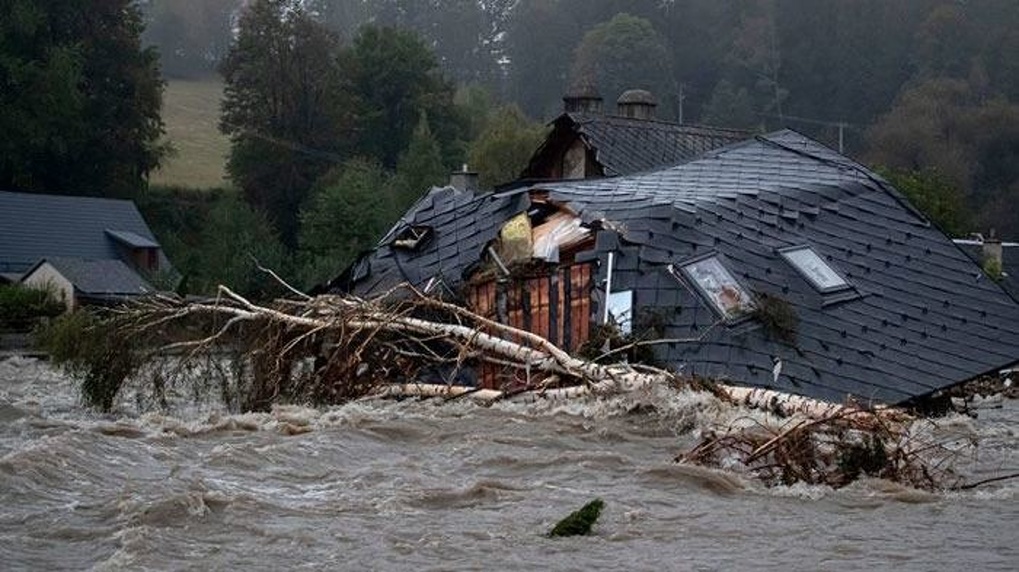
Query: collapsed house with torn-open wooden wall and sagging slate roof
771	263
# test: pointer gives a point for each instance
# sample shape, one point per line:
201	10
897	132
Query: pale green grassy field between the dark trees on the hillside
191	112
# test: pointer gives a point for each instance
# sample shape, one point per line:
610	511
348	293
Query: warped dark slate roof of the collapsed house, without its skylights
920	316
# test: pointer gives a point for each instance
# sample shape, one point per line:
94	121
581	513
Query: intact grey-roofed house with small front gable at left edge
90	250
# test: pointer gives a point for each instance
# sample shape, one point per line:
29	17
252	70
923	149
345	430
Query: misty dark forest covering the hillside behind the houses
342	113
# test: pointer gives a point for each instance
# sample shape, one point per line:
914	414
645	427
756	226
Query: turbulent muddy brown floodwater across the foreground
413	486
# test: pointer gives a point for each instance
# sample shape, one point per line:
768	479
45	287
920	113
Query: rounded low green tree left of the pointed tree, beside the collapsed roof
350	209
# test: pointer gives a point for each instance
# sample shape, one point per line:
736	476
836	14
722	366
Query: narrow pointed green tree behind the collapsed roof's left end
420	168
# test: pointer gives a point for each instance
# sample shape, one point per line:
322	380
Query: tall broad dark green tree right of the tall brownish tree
395	78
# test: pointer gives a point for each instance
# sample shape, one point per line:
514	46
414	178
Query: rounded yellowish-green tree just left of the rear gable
501	152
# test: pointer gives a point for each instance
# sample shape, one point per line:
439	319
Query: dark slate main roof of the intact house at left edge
35	227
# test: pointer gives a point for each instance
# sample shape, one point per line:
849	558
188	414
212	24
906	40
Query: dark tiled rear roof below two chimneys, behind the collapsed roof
626	146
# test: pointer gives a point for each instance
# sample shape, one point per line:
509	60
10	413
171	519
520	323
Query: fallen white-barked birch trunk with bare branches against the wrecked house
385	346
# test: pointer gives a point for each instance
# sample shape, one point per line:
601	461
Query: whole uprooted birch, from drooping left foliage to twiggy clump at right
334	349
